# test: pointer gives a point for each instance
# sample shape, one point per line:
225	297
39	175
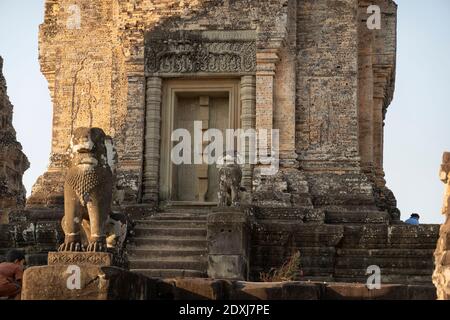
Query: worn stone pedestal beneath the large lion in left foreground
83	276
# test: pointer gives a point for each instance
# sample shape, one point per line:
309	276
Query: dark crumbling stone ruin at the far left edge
13	161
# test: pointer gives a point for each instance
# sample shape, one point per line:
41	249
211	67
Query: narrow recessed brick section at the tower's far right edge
376	78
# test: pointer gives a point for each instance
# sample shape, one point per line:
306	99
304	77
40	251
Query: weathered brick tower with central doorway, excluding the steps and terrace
311	70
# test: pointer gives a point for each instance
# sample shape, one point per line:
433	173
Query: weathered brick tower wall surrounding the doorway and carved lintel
311	83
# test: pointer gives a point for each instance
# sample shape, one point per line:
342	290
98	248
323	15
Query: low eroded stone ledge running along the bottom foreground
115	284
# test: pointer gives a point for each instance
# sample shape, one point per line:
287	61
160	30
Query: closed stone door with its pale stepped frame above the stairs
194	107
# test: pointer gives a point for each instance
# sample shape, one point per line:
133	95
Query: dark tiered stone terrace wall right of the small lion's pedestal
343	251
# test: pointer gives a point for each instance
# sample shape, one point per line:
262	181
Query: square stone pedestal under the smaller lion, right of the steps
228	244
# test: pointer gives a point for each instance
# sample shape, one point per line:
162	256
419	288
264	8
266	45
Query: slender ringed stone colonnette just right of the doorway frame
248	104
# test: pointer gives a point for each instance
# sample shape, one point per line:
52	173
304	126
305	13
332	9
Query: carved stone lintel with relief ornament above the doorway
187	56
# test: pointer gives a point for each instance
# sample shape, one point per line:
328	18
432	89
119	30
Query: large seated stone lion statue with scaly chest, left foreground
87	223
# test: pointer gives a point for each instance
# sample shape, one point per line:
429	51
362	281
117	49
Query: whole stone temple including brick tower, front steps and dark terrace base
312	69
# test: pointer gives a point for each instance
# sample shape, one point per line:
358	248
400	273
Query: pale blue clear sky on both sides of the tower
417	125
